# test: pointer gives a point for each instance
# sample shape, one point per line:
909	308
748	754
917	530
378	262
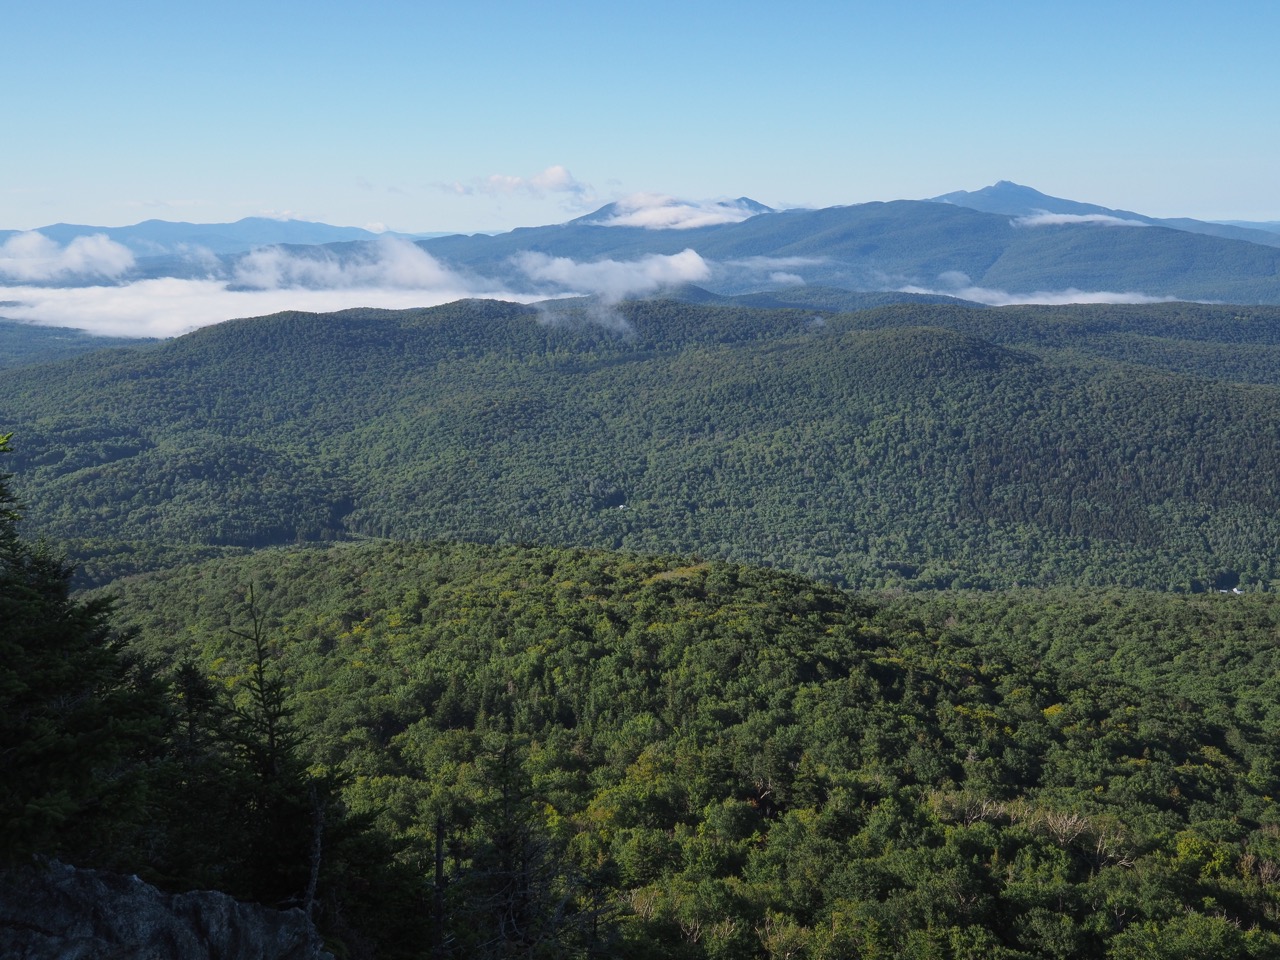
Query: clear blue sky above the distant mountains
487	116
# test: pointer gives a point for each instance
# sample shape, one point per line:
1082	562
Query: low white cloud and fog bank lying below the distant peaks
391	275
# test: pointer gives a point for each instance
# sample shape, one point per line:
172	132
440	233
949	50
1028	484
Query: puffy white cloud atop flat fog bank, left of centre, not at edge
388	263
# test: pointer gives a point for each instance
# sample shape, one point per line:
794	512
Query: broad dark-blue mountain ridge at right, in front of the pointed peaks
916	246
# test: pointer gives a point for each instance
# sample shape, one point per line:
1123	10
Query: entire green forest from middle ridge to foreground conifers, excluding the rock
487	749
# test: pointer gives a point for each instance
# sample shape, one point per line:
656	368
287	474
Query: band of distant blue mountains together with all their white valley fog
158	280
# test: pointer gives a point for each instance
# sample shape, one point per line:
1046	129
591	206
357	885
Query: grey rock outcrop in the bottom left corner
54	912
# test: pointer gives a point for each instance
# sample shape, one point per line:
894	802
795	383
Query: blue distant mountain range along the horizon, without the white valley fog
1002	244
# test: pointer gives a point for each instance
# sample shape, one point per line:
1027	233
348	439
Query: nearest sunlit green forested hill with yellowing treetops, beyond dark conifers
595	755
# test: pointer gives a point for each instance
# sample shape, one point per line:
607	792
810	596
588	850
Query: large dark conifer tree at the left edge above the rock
76	720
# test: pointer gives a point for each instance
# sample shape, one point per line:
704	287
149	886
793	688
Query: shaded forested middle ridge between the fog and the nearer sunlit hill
918	446
